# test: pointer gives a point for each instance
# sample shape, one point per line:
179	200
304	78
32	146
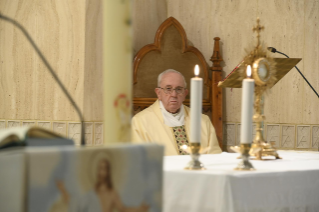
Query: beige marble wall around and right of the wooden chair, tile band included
290	26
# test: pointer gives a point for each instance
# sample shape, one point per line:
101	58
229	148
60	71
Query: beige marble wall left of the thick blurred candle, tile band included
68	34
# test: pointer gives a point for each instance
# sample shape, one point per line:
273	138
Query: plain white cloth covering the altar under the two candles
289	184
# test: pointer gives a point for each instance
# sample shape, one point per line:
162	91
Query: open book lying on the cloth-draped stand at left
31	136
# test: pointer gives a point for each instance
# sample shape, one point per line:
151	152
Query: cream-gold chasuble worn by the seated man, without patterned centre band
148	127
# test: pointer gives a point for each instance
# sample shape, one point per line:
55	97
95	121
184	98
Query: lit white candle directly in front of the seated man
196	106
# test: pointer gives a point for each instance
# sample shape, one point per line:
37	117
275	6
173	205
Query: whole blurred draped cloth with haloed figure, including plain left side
75	179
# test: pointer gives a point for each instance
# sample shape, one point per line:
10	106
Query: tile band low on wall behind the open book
72	130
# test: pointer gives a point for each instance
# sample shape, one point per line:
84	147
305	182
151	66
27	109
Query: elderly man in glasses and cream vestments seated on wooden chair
167	121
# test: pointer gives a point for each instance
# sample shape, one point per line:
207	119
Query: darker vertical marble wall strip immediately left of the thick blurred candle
93	74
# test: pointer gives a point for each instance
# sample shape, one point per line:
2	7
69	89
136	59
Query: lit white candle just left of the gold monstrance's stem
247	108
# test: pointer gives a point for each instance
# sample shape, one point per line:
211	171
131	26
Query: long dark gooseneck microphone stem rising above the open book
26	34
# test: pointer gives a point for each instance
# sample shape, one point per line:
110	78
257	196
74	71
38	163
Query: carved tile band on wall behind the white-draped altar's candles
284	136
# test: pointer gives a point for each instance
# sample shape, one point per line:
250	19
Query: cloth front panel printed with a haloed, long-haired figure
107	180
